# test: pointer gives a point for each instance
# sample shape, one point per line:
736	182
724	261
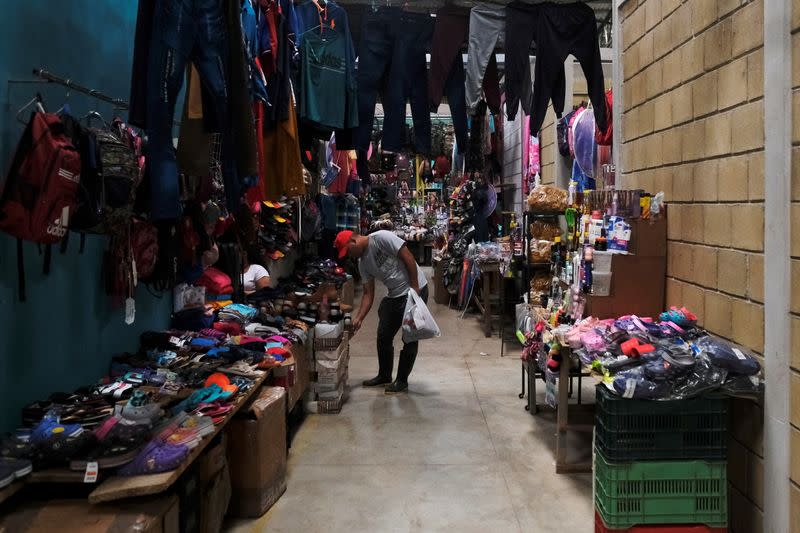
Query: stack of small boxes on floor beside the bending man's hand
332	360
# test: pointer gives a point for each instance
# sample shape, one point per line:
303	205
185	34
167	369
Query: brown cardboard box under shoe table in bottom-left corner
158	514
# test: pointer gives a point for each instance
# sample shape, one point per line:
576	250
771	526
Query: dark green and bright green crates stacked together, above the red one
660	466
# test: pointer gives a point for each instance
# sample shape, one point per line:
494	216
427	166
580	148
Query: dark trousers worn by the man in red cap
390	320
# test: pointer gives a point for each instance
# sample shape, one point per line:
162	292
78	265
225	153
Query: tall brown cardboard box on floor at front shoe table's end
257	454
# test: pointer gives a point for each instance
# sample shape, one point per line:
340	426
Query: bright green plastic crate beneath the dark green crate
661	492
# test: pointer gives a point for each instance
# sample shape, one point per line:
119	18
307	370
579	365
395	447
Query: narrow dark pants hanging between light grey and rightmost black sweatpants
521	27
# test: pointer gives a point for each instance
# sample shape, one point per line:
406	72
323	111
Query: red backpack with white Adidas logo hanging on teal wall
39	193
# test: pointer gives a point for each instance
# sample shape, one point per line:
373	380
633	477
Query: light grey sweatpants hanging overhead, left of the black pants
486	31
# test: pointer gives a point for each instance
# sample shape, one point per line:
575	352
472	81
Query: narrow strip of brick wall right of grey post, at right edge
795	253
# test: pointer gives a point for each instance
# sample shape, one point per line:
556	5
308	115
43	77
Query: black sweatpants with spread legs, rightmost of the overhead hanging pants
565	29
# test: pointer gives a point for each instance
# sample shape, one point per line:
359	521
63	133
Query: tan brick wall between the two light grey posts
692	126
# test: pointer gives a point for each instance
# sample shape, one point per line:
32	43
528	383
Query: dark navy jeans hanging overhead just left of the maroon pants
408	80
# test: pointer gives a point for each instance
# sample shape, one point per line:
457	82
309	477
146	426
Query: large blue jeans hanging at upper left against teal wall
184	31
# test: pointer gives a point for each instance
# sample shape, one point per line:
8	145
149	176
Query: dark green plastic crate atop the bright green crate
631	430
